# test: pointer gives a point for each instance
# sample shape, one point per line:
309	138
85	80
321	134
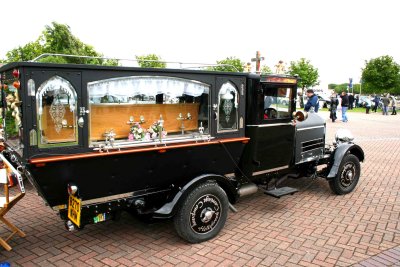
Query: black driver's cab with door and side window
270	126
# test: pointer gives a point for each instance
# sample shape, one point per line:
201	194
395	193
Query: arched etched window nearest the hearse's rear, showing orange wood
56	104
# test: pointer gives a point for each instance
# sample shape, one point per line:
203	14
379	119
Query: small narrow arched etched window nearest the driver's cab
228	103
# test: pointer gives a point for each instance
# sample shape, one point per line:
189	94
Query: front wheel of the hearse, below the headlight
347	177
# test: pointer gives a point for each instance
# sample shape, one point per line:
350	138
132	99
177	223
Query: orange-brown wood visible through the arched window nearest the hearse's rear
49	130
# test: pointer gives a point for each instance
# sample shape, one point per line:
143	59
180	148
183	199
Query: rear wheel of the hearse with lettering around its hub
202	214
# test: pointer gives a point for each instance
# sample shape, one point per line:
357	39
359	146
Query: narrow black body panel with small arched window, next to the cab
228	107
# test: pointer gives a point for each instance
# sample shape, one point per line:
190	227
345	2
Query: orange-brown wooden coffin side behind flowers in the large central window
104	117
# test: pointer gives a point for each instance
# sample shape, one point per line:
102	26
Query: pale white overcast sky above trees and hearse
337	36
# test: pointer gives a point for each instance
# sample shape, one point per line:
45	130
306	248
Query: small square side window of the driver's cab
277	103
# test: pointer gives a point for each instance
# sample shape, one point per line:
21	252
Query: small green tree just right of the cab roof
307	73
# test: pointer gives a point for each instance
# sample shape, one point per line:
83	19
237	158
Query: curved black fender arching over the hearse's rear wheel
169	209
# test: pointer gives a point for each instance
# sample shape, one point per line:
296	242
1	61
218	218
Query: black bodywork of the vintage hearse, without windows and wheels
153	180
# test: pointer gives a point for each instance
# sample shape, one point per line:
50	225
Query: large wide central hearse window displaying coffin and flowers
133	109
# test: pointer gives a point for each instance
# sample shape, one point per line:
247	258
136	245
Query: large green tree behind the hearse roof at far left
57	39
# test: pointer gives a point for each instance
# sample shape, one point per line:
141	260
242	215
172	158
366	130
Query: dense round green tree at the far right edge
381	75
